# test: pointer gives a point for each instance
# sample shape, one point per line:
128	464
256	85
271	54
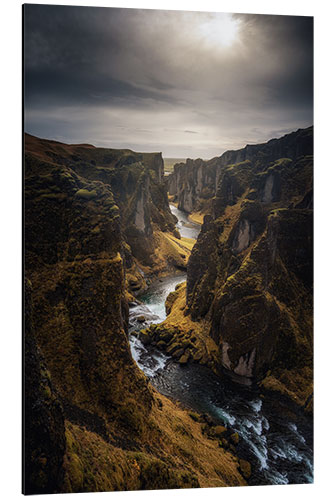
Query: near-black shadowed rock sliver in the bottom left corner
44	444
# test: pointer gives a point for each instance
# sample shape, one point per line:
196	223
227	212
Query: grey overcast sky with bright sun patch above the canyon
185	83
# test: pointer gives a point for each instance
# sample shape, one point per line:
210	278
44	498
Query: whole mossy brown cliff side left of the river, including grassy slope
94	221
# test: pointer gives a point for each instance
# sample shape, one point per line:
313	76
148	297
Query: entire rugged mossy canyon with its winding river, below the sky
168	318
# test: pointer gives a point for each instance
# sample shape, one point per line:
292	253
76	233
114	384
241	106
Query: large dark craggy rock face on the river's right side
250	272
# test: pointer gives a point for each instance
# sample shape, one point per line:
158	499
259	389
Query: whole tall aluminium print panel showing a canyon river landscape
168	252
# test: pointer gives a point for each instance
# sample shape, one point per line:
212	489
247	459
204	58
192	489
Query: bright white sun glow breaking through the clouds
220	30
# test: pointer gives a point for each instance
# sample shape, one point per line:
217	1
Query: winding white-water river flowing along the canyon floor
276	438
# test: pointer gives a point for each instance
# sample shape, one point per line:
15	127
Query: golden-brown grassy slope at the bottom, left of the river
174	441
